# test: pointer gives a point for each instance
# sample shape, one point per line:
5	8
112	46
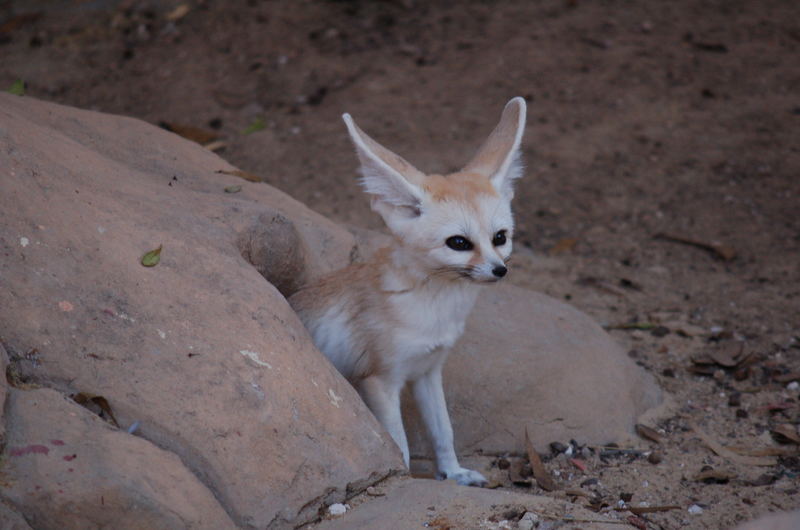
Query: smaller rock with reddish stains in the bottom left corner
67	468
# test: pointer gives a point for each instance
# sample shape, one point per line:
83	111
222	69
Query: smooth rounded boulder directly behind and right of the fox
528	361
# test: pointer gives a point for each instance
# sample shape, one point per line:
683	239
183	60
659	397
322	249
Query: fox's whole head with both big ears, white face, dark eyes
456	225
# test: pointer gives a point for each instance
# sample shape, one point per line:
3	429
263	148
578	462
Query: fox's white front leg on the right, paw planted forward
429	395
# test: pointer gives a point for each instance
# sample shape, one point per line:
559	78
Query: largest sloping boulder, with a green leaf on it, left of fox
200	351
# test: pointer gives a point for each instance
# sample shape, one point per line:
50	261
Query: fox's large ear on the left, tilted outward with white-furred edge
387	176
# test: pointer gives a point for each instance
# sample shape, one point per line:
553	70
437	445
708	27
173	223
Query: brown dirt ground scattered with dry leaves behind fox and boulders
679	118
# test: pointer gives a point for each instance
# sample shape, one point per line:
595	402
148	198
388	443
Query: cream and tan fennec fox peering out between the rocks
393	319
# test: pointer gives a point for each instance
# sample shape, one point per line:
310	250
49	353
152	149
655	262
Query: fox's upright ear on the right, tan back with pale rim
499	157
